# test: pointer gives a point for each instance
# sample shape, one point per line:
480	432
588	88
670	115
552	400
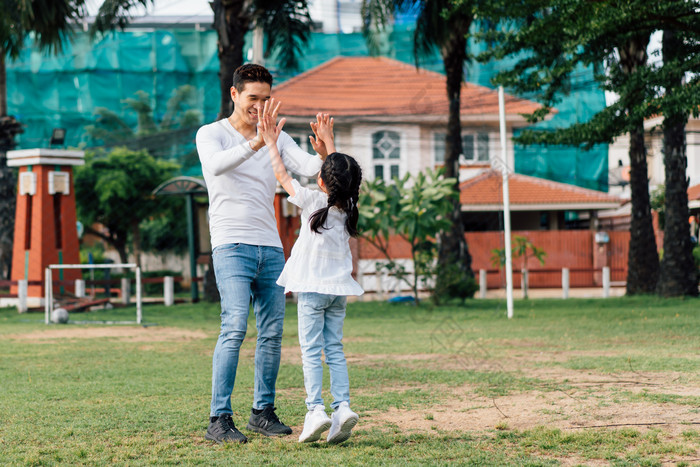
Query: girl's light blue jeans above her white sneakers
321	319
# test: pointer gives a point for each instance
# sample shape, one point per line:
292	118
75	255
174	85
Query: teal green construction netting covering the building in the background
46	92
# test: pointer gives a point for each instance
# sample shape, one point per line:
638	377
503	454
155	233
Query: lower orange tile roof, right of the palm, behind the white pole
486	189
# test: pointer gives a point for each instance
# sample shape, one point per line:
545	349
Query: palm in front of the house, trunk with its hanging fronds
441	27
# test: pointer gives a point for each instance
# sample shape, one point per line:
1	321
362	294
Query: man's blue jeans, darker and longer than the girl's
244	272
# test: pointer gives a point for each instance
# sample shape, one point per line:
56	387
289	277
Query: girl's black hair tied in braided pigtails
342	176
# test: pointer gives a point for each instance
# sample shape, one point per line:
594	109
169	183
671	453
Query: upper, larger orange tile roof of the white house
379	86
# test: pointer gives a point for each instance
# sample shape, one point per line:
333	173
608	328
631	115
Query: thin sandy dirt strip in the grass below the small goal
122	333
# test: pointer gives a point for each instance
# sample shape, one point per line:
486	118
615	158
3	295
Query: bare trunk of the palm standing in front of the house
453	249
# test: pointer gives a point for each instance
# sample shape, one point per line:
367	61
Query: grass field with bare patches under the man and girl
590	382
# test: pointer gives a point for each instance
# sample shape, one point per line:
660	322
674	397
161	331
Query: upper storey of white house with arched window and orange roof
392	116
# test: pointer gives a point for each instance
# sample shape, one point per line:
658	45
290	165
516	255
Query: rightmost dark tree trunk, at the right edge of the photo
678	273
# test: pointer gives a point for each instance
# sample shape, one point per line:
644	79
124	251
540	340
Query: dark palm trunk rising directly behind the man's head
232	20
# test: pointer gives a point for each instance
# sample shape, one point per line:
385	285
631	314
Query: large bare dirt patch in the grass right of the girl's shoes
593	402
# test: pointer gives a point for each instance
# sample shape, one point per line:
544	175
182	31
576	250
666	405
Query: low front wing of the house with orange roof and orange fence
561	219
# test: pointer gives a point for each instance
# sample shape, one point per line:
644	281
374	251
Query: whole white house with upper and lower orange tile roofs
392	118
